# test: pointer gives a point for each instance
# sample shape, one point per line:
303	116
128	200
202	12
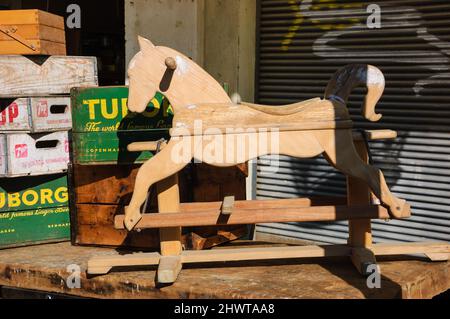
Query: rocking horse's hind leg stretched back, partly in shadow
341	153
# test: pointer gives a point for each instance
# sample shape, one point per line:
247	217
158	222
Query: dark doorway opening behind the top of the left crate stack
102	32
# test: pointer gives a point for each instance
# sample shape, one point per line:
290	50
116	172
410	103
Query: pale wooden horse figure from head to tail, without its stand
306	129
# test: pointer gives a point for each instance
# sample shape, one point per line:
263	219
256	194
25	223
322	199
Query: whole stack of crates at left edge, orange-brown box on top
35	117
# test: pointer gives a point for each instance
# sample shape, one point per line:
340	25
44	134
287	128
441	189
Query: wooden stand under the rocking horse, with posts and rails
359	212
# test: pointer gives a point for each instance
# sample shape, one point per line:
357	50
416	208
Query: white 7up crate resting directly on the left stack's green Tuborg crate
33	154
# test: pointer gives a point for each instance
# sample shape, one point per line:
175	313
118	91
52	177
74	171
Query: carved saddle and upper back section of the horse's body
312	114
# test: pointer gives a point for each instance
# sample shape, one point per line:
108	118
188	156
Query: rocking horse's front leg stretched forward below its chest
164	164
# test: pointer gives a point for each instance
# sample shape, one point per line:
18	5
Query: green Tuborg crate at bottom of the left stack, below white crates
33	210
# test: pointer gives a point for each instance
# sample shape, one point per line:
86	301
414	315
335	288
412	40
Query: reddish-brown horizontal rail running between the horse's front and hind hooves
254	216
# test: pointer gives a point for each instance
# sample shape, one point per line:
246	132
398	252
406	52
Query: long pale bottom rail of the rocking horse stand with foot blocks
170	266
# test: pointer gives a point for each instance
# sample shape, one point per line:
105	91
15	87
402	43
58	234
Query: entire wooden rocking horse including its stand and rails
208	127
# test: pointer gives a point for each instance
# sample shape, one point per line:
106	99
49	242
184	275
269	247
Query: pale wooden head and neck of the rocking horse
173	74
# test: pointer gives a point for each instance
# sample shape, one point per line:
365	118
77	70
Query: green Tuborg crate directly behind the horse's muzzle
103	127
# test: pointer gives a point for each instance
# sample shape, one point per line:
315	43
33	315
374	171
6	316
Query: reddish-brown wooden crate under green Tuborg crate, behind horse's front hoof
93	208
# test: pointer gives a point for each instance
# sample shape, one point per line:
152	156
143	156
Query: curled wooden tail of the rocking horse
346	79
